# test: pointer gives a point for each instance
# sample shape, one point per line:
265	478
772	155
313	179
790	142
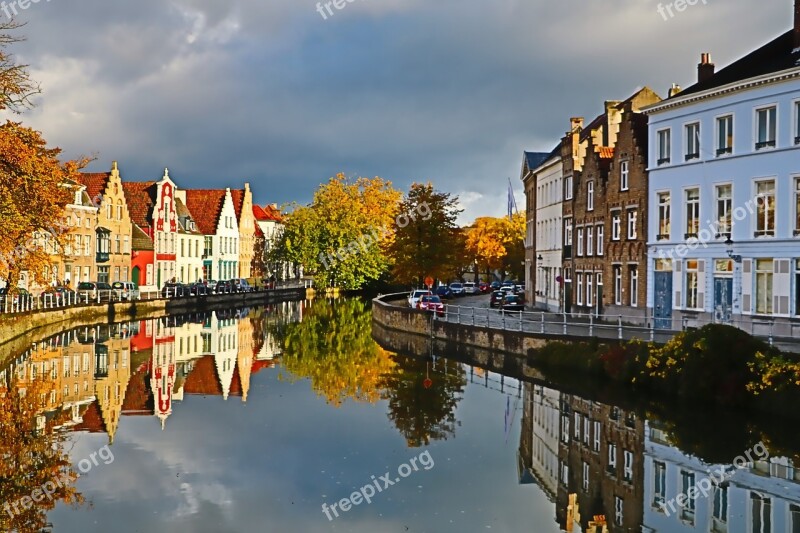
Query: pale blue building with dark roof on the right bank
724	195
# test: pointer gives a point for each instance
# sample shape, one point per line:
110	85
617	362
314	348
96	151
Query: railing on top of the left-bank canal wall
25	303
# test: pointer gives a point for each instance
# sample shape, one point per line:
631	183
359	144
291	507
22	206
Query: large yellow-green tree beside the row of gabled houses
342	236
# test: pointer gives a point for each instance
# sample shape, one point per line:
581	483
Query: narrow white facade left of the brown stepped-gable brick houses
548	243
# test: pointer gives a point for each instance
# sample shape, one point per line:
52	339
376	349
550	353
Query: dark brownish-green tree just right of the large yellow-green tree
427	241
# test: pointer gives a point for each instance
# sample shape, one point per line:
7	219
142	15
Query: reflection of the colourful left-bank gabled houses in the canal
141	368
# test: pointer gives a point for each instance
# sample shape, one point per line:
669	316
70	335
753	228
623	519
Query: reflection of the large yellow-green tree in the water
333	347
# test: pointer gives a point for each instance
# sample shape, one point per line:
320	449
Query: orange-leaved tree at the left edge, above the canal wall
35	189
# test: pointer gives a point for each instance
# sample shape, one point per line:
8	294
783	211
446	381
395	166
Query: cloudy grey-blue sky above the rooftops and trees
271	92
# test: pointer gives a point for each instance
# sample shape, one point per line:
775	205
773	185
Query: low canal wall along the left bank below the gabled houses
18	330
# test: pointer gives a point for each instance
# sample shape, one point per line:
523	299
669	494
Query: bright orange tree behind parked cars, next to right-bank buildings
498	243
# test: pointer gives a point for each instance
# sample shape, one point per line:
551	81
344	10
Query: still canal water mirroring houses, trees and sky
291	418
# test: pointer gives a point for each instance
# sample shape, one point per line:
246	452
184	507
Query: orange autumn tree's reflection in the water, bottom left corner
34	459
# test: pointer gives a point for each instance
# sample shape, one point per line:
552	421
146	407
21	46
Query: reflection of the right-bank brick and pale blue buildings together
605	469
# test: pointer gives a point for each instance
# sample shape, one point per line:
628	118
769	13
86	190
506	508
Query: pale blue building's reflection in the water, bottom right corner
762	496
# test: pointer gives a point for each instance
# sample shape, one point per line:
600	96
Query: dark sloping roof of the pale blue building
775	56
